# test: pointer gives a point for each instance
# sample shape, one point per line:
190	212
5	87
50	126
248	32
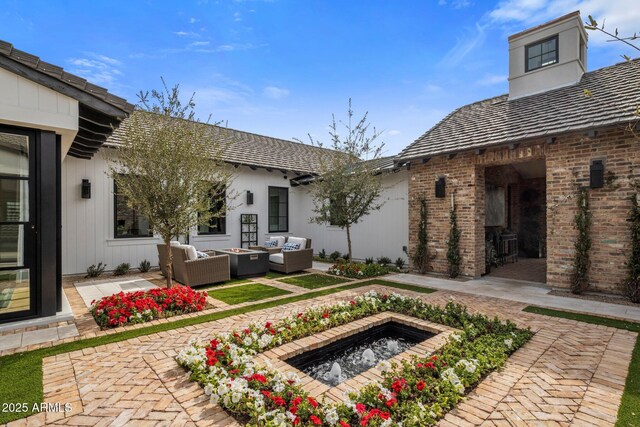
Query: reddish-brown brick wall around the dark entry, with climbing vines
567	164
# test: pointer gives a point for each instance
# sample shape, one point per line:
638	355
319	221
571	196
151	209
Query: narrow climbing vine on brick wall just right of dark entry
581	262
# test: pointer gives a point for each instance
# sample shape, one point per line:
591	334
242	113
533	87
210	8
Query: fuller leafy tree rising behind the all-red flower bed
169	166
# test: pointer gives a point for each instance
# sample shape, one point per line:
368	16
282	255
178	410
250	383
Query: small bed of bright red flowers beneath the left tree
142	306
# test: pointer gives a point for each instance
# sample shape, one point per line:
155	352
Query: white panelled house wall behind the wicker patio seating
87	224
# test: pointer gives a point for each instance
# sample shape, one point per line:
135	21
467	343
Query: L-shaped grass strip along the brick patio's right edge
629	412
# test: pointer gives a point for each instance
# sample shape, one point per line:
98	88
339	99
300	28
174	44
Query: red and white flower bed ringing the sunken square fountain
416	393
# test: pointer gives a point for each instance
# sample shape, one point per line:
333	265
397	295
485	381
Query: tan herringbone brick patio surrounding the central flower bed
569	373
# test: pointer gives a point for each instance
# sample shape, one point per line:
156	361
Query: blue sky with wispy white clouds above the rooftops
283	67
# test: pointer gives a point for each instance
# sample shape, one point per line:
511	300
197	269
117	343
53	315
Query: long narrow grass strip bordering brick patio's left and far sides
21	373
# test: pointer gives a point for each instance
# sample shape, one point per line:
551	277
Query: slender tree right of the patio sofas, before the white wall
348	188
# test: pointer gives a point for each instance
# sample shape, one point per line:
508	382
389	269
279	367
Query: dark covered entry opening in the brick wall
515	221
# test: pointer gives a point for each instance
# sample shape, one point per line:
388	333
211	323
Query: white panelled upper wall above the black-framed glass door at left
28	104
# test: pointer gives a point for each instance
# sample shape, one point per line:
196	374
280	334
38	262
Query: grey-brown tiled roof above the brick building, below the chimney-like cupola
497	121
